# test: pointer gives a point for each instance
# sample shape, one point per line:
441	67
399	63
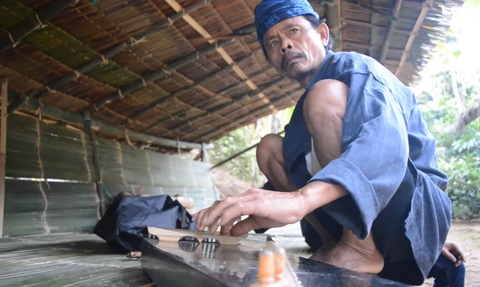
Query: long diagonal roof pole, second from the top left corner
108	55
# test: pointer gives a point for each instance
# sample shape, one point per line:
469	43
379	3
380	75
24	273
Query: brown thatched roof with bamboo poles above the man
192	75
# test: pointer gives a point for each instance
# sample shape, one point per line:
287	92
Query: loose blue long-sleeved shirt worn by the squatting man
383	131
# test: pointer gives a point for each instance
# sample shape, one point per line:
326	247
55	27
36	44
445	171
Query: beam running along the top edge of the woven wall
76	119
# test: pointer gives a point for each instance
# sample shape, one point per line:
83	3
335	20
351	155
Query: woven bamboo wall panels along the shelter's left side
38	150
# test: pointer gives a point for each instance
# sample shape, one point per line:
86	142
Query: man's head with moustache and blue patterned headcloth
292	36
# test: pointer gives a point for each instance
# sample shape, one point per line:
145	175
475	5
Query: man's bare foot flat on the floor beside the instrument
353	254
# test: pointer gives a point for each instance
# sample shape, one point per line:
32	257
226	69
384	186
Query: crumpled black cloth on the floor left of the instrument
124	224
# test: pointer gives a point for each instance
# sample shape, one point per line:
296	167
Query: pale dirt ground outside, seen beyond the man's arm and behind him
466	234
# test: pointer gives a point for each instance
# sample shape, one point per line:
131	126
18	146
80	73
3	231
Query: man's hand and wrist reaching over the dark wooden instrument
266	209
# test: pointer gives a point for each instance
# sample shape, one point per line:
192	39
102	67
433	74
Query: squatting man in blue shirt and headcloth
356	161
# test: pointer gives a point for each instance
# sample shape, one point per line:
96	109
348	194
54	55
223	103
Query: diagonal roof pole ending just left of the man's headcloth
155	75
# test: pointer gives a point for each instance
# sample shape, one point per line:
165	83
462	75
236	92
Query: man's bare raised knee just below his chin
326	100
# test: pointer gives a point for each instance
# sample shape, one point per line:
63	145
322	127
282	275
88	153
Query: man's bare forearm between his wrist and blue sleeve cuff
318	193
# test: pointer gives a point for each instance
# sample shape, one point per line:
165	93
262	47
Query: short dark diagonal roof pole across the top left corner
43	15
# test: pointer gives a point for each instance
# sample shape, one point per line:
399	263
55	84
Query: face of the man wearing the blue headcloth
295	48
